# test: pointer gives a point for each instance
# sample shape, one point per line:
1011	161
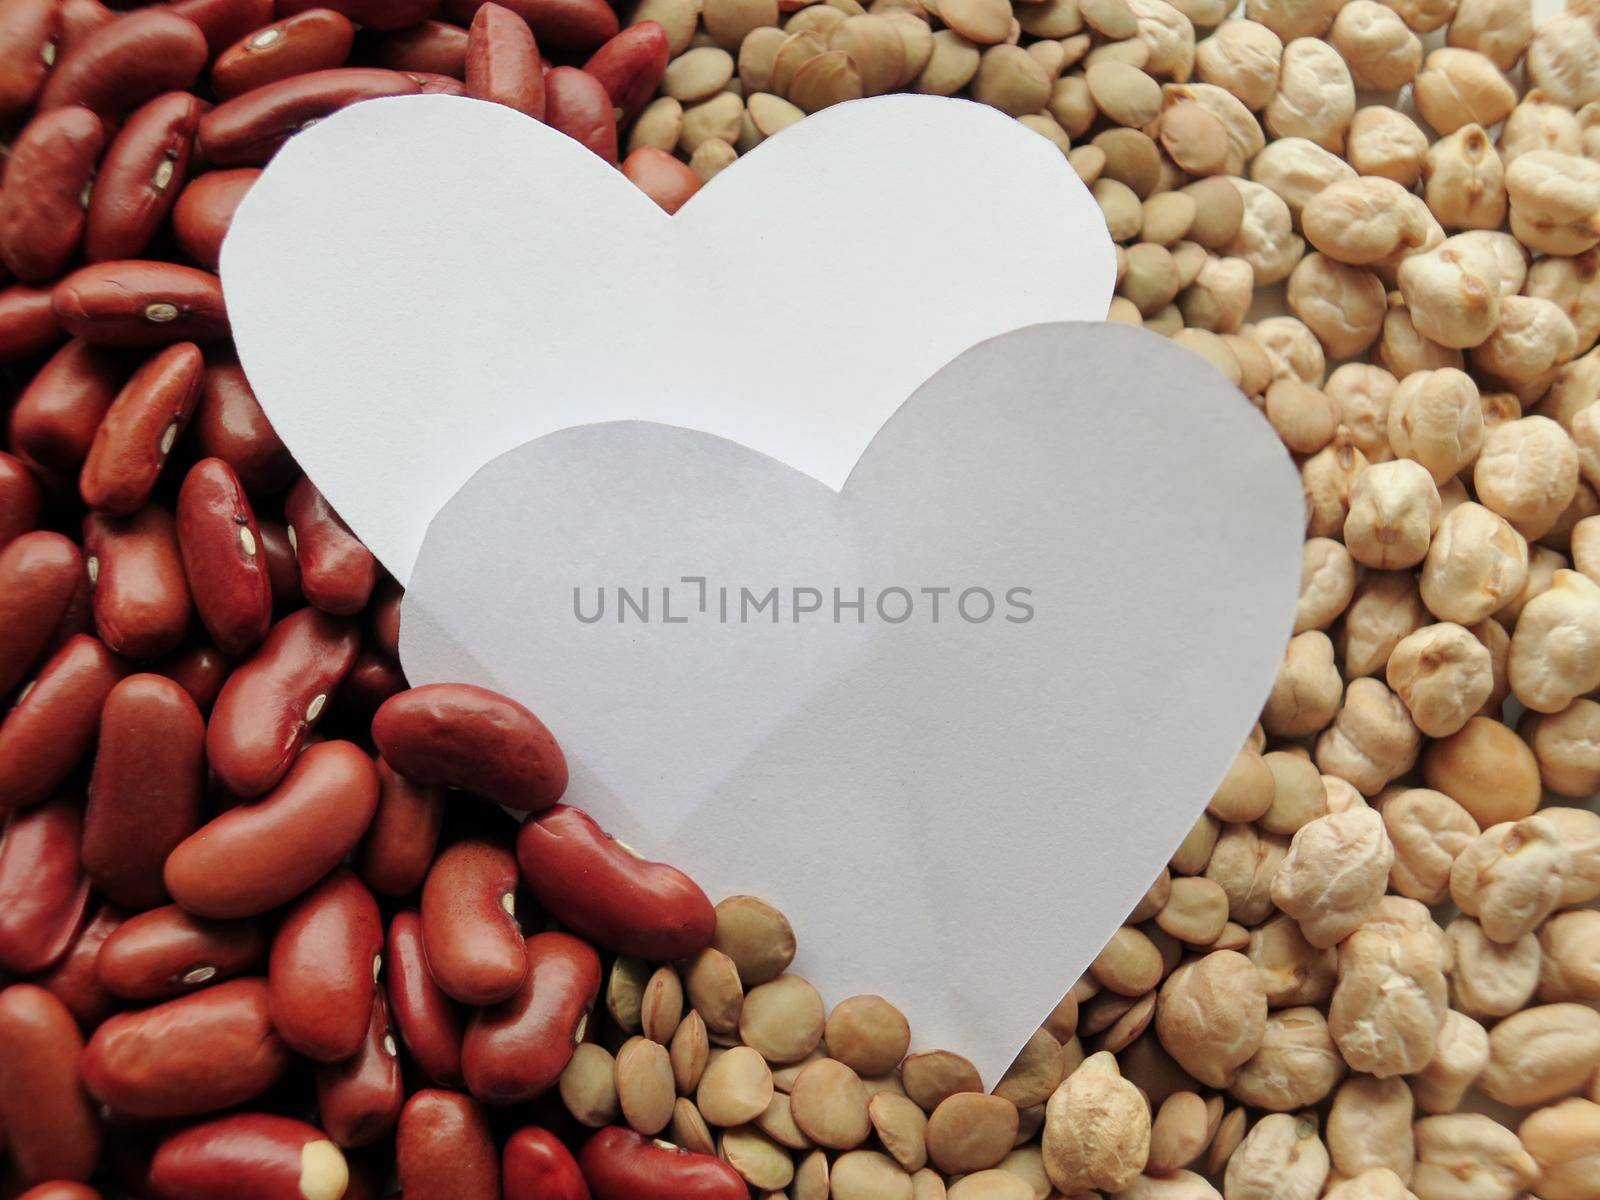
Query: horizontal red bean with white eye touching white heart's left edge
138	303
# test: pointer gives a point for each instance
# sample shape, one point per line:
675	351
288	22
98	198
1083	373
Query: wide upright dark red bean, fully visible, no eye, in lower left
146	791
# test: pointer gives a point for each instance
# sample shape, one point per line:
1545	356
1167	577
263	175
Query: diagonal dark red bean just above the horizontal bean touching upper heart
142	177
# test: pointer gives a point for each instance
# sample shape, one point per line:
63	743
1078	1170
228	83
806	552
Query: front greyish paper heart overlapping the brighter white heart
956	815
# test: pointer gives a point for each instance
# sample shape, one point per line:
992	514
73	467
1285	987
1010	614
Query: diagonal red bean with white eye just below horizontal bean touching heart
140	430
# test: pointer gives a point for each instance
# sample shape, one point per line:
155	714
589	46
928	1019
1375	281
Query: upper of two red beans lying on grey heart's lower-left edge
465	737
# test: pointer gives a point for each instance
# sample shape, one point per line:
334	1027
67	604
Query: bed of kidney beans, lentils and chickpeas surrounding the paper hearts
1374	967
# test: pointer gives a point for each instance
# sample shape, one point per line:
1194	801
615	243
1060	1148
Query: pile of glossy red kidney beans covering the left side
266	927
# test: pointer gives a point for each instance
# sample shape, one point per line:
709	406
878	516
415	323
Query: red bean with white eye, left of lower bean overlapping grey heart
470	926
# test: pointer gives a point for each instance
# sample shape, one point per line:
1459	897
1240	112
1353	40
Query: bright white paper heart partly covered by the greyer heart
422	284
